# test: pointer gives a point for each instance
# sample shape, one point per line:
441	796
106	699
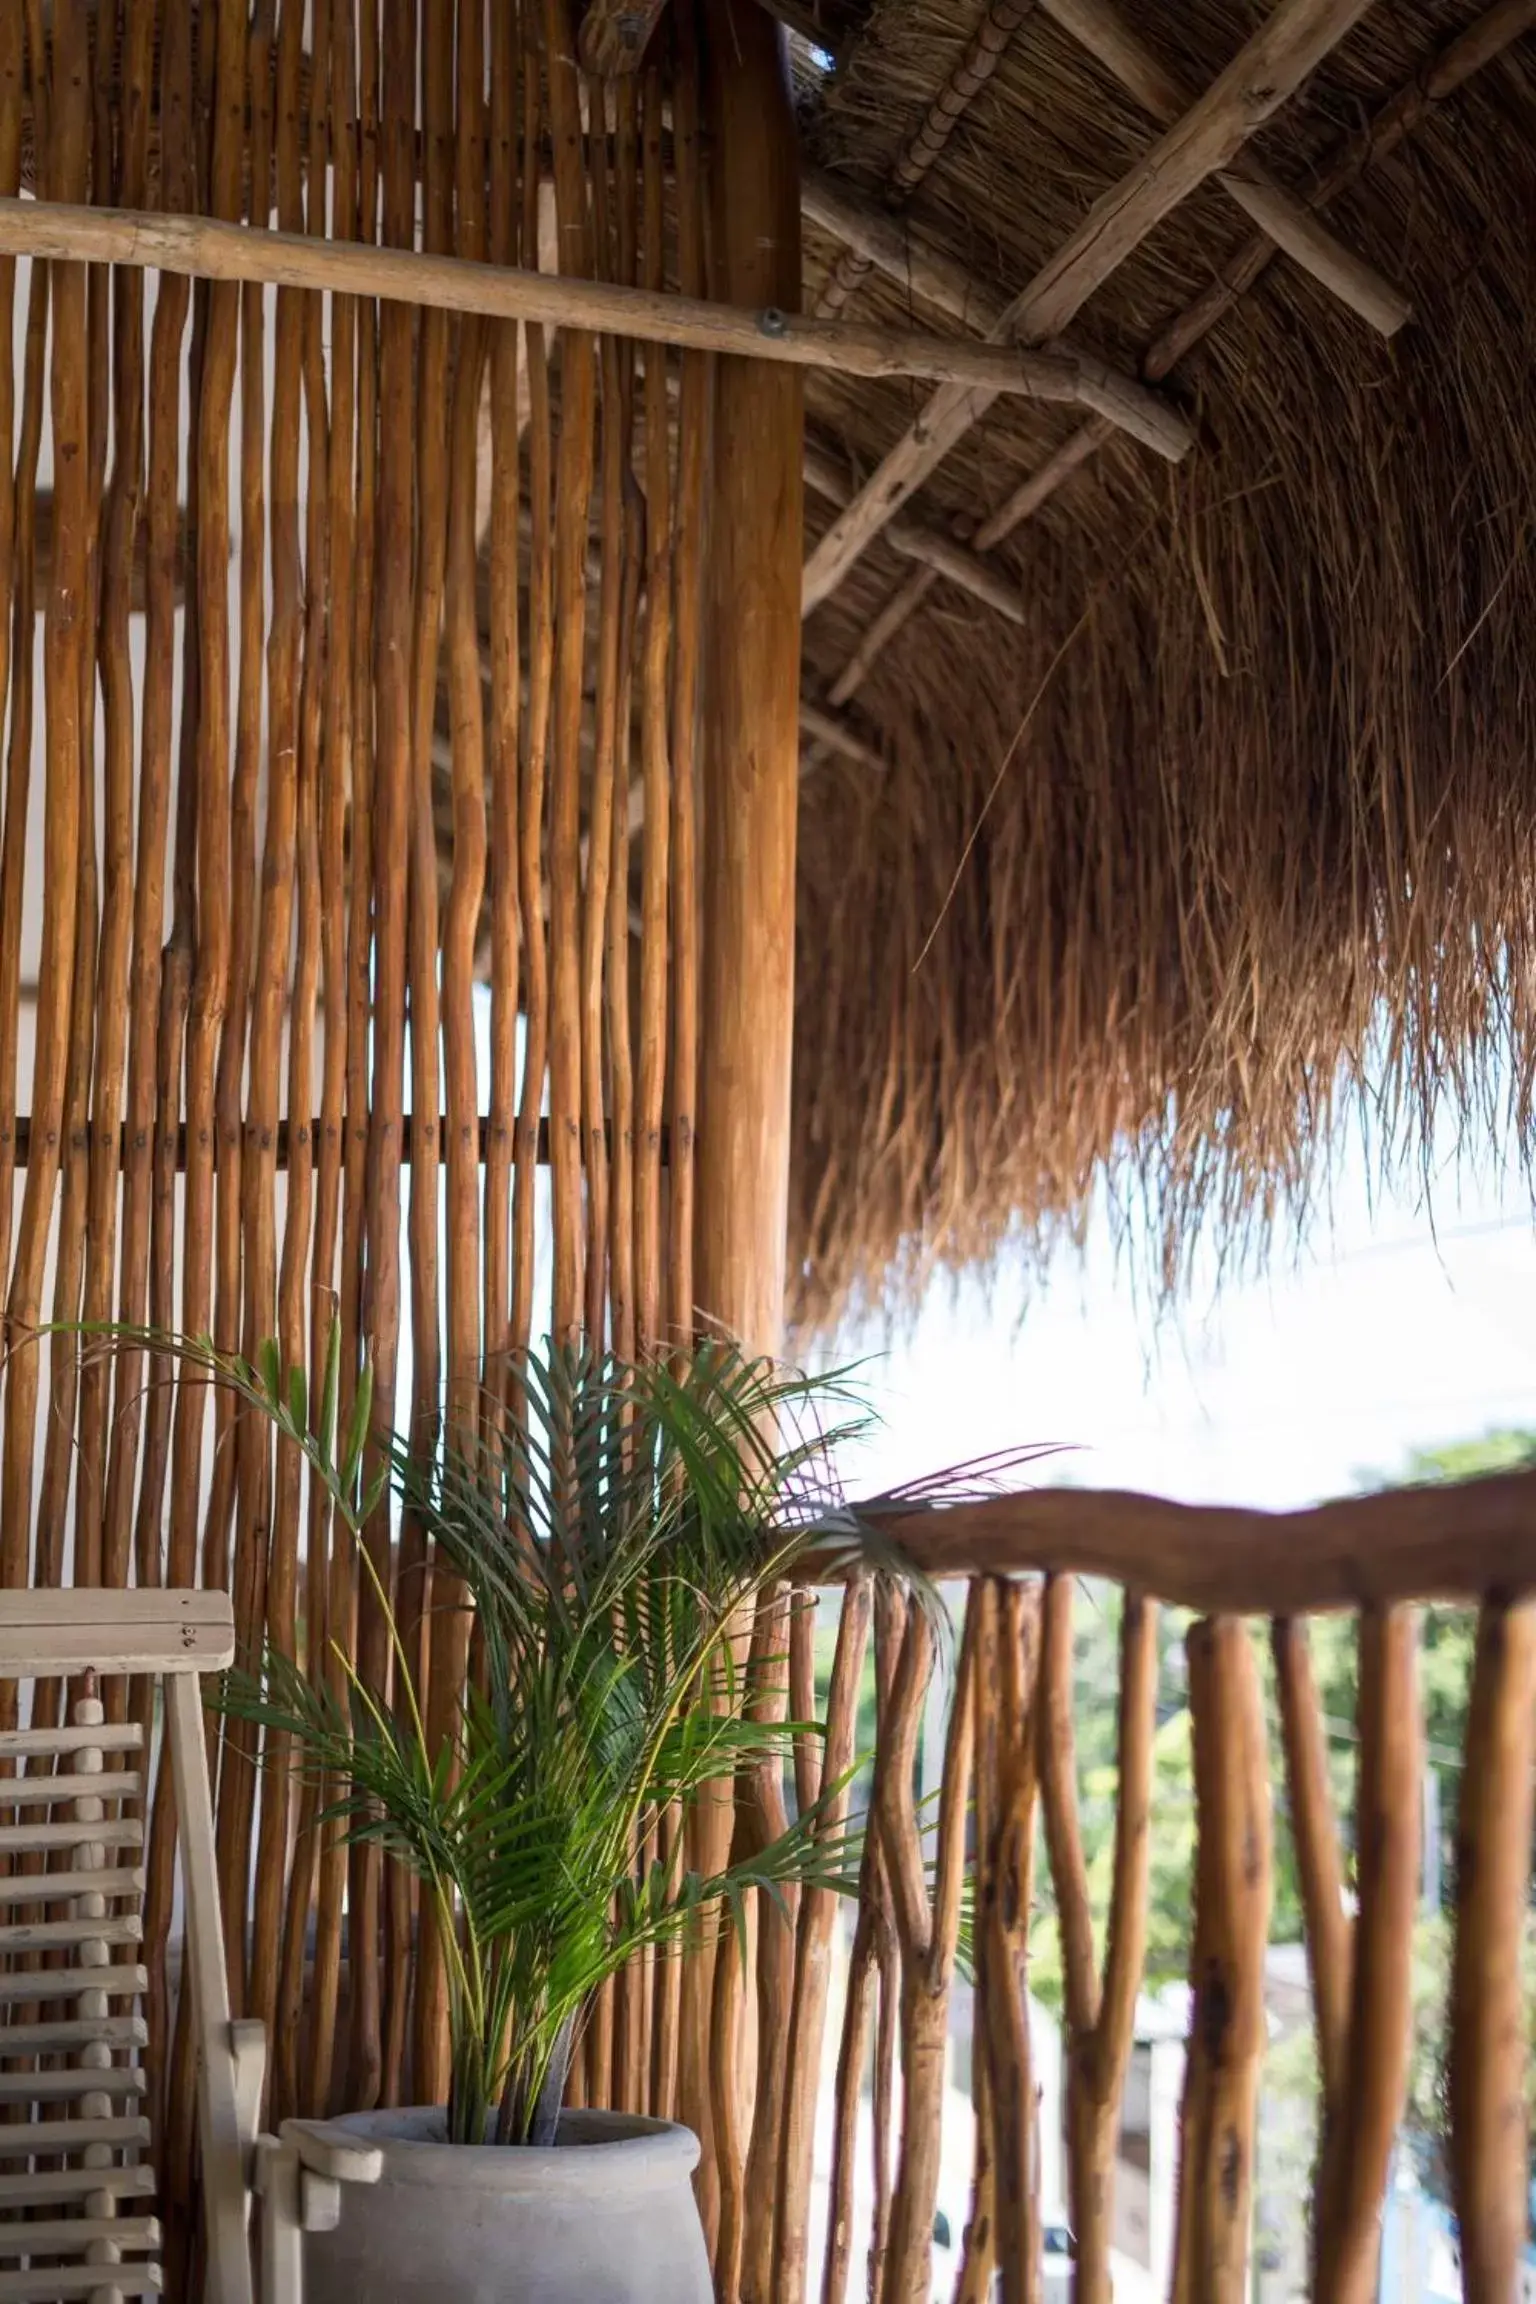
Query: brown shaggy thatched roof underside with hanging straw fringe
1238	817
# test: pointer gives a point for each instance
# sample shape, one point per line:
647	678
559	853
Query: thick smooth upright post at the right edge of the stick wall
752	720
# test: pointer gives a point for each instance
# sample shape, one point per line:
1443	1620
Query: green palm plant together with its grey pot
614	1538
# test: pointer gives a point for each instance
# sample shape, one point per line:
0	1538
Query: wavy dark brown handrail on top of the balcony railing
1440	1543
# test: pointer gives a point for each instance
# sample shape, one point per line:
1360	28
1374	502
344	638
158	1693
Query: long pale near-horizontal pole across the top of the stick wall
236	252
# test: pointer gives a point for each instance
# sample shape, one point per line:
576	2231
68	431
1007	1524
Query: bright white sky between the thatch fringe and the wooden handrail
1394	1328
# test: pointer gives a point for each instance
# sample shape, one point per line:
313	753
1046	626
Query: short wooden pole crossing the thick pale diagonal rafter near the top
1293	227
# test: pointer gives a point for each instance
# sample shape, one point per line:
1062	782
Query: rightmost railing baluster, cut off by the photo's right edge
1493	1865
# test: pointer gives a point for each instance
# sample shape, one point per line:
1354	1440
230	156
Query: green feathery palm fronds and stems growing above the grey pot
611	1533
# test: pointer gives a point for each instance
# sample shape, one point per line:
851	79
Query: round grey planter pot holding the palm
602	2218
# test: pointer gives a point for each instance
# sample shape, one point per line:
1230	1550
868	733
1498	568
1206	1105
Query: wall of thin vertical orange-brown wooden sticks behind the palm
342	856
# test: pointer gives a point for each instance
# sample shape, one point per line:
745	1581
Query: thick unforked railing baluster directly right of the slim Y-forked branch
1226	1966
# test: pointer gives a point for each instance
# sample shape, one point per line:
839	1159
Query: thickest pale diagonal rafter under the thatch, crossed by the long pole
1256	84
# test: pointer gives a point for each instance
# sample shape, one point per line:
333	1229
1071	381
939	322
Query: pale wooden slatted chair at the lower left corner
73	2135
